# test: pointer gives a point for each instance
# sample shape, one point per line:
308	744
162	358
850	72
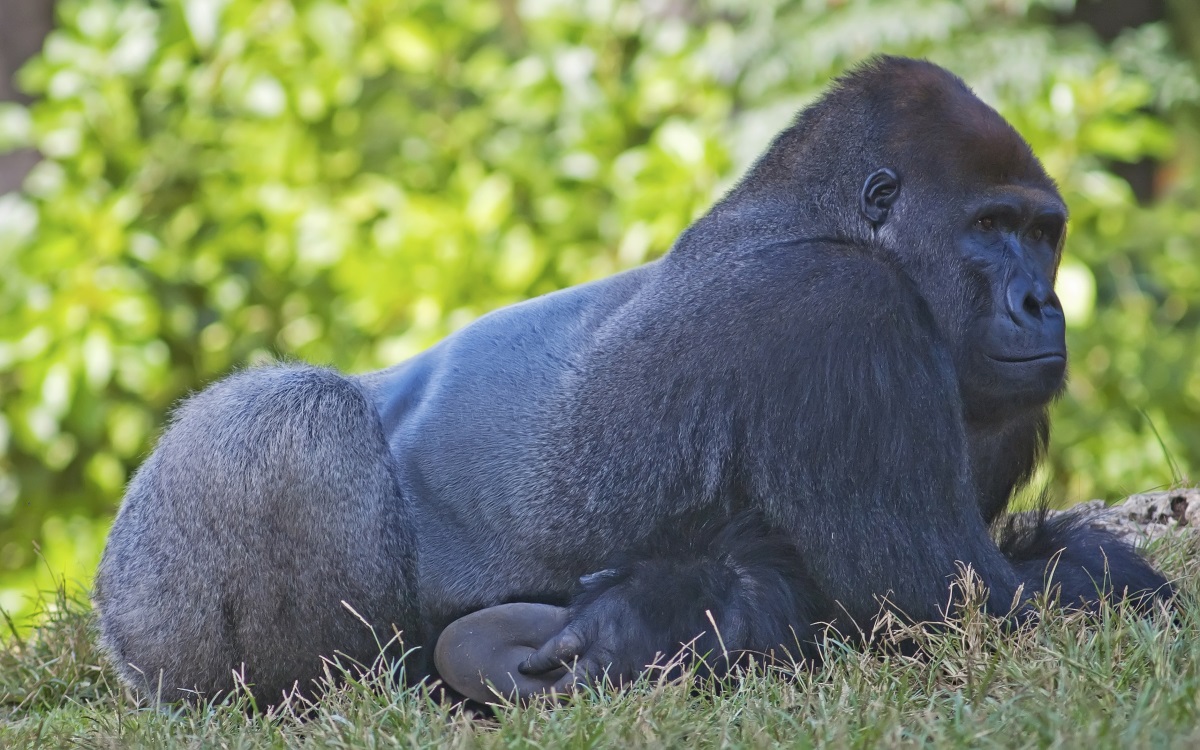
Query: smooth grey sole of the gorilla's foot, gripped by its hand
479	655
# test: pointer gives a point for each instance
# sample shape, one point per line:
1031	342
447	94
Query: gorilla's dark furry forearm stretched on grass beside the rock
1081	563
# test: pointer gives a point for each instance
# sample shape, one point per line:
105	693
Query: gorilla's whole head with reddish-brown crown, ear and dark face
975	221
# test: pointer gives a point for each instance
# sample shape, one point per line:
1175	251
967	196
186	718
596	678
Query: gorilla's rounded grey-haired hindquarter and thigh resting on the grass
269	509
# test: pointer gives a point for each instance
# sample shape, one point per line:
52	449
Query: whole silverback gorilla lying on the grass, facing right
821	399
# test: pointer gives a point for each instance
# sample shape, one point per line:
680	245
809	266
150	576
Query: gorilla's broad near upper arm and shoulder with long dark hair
856	445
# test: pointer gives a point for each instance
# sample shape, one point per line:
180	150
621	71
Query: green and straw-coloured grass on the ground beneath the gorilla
1072	681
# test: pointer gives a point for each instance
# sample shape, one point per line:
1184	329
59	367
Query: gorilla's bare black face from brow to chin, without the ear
1016	352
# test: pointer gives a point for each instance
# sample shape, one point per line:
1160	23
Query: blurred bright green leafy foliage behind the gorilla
197	185
